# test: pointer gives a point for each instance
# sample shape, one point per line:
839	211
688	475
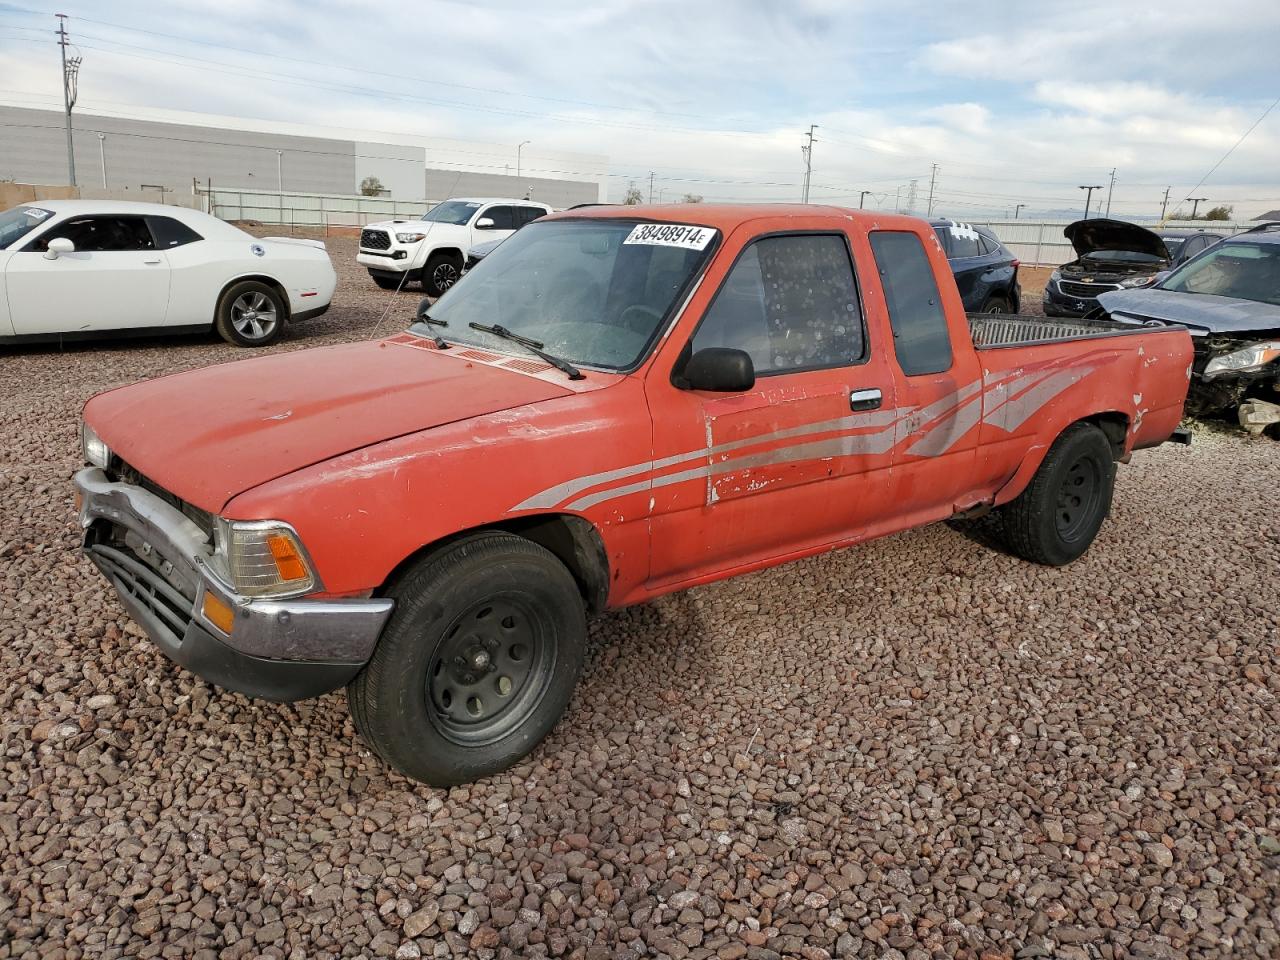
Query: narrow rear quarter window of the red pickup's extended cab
922	341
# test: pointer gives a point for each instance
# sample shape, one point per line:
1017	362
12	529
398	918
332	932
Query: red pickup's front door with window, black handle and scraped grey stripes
802	459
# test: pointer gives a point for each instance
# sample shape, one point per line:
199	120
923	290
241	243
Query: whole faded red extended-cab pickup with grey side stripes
616	404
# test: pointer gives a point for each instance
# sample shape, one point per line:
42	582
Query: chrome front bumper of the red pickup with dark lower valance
159	561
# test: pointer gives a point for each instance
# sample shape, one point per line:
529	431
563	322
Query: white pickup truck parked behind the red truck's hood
432	250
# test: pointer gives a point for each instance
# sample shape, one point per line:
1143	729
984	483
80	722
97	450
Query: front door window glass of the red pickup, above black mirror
790	303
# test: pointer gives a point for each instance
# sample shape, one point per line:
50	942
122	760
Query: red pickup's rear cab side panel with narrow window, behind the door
939	382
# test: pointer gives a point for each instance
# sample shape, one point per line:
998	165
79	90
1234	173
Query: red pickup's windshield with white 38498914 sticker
595	292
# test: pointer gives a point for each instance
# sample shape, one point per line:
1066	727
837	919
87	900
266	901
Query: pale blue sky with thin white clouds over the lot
1017	103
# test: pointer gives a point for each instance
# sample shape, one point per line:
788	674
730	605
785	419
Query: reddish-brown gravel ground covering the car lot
917	748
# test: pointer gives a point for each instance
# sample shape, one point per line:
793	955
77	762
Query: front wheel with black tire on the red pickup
478	662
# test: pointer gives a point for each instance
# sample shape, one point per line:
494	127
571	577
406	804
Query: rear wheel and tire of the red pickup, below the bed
1059	514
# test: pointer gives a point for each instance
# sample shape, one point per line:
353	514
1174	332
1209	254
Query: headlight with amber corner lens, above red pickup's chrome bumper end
264	559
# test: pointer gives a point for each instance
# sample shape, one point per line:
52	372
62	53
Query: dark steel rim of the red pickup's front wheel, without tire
490	671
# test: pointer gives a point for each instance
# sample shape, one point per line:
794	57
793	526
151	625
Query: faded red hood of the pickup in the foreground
208	436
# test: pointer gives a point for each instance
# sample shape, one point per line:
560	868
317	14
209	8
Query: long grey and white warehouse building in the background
172	152
